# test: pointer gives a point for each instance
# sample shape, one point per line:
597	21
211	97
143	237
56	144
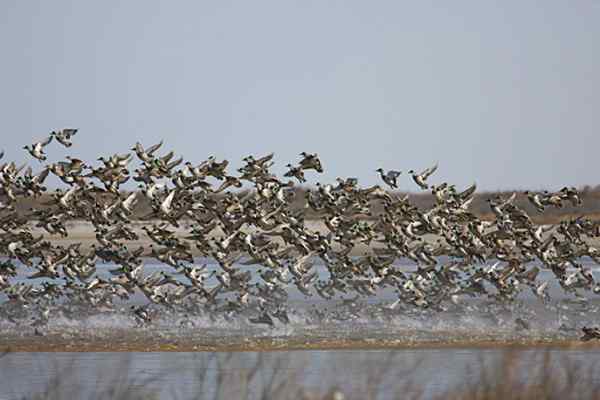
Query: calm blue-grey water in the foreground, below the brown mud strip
196	375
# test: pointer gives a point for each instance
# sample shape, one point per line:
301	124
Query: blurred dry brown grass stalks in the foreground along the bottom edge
284	376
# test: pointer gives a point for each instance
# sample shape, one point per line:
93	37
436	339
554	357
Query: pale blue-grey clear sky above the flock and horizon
506	94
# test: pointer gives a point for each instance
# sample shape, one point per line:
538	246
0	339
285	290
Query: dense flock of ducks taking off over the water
262	246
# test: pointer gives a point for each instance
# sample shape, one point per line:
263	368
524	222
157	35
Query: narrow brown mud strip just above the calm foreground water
57	343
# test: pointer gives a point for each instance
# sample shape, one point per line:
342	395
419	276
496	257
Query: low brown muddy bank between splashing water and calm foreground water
150	340
